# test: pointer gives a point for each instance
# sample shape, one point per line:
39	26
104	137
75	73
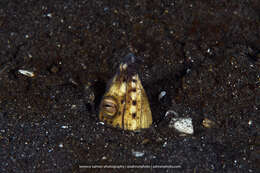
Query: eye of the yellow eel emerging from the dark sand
109	106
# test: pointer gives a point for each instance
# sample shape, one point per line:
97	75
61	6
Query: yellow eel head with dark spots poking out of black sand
125	104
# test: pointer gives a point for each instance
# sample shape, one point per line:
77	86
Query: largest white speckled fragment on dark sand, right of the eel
183	125
